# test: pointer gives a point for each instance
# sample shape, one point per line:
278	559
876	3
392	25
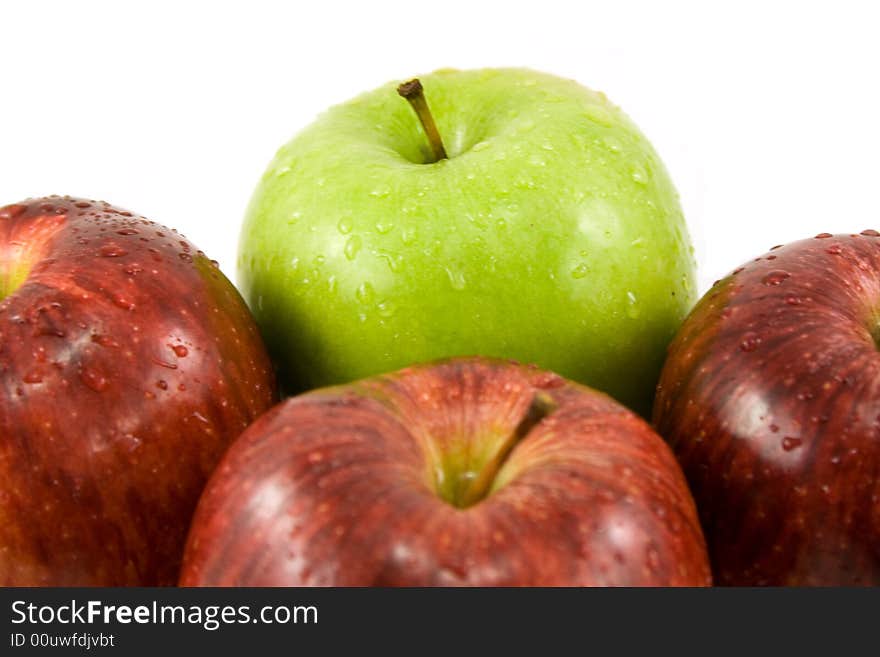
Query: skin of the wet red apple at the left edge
127	364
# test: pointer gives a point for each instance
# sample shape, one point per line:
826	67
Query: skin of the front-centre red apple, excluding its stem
342	487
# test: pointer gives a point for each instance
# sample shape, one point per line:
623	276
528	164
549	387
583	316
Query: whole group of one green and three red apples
466	302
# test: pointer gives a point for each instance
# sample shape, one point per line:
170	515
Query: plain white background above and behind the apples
766	114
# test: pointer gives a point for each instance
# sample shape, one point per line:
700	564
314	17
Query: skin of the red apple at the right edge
770	398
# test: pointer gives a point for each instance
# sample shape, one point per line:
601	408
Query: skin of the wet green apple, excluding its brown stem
552	235
